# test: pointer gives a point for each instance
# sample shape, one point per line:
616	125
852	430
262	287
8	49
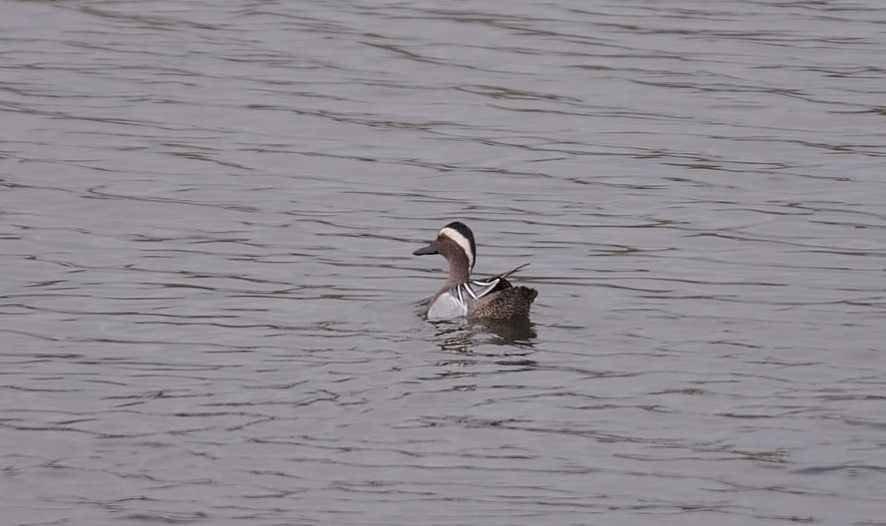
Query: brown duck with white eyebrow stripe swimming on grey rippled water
461	297
